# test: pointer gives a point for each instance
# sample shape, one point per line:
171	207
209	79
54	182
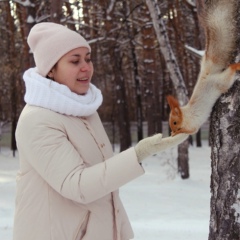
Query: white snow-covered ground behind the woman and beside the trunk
160	205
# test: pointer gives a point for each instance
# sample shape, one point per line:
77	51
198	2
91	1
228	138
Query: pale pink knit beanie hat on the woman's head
50	41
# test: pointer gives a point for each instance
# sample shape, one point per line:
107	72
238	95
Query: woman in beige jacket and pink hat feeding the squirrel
67	185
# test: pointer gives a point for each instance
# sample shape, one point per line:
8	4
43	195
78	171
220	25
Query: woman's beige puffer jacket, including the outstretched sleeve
67	185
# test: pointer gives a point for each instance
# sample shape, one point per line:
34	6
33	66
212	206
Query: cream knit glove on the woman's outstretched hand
151	145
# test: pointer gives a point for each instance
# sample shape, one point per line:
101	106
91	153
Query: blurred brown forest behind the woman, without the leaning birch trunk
130	67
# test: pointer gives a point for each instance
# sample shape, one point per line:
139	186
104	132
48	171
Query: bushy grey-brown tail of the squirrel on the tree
218	18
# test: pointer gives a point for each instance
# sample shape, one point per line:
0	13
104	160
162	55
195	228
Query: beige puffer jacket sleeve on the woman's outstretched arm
47	149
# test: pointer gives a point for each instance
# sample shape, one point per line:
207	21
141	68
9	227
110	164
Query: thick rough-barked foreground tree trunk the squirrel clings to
225	179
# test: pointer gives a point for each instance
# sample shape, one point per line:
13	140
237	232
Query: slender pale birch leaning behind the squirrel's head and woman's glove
176	76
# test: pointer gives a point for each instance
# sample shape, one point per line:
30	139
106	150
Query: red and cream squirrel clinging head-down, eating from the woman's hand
217	75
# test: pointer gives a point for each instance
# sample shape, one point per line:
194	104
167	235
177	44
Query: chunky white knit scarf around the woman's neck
43	92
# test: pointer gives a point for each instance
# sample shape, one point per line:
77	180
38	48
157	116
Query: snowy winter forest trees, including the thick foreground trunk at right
142	51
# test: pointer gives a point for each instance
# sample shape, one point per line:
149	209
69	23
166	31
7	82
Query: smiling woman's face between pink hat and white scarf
75	70
